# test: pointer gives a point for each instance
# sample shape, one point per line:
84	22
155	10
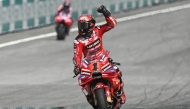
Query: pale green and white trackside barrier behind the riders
17	15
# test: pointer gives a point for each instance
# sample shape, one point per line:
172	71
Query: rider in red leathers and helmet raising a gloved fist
89	39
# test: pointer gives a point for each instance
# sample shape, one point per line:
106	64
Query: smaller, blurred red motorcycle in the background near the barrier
62	25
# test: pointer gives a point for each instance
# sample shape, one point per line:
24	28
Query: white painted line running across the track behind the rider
171	9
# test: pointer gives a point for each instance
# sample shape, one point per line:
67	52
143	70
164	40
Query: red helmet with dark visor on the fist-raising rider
86	24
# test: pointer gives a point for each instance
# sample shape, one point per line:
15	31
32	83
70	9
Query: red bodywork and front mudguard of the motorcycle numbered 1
99	64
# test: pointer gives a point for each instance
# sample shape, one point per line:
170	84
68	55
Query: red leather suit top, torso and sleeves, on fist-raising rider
92	44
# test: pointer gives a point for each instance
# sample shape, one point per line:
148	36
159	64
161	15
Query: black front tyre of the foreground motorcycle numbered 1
101	99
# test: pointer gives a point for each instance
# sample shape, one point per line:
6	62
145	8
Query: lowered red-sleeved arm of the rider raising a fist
77	53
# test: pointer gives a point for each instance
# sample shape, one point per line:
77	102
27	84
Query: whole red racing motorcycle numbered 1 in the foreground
99	81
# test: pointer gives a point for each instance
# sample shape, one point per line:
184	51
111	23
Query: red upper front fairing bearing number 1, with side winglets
102	65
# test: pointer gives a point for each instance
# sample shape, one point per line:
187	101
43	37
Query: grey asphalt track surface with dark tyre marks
154	53
